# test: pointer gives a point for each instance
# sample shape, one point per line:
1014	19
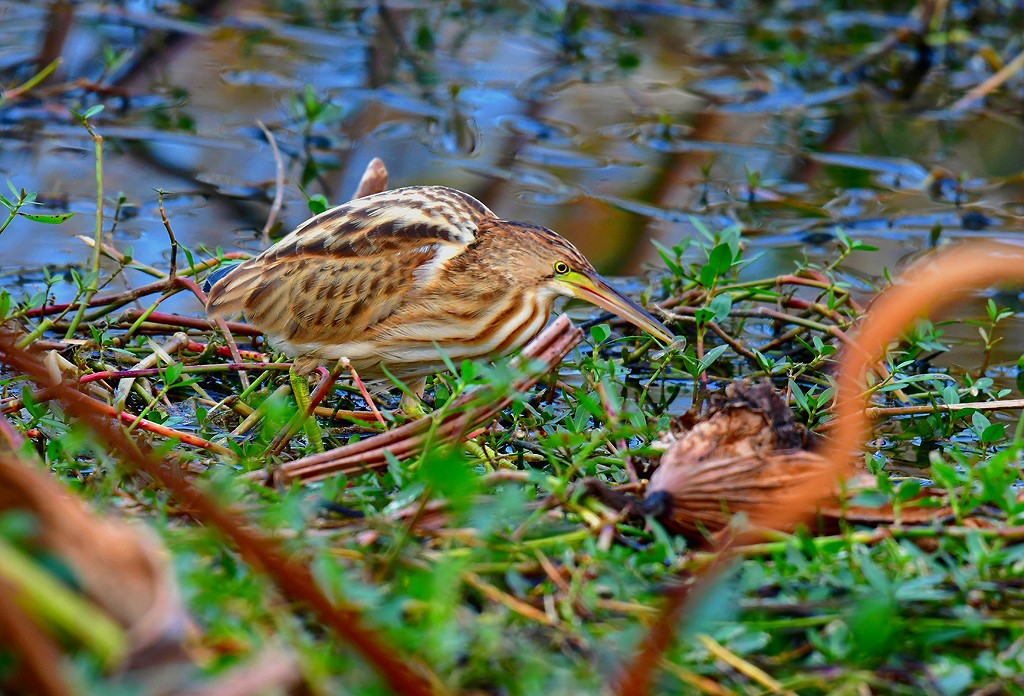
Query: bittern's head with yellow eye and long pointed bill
563	270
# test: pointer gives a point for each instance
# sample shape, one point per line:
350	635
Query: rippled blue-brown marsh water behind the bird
614	124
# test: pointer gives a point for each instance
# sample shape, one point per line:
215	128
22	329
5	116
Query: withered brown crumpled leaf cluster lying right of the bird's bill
745	457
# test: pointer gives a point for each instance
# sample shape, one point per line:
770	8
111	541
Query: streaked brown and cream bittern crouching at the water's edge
399	278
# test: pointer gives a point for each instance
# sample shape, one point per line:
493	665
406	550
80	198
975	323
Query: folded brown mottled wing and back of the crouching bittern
351	268
